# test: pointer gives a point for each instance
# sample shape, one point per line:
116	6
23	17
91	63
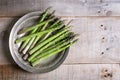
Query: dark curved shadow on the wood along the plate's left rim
5	40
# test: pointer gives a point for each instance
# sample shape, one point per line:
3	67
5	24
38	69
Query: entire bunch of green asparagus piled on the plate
48	37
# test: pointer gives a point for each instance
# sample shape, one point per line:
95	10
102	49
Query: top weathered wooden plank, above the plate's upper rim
63	7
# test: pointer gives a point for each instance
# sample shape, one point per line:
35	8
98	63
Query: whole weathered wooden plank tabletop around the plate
96	56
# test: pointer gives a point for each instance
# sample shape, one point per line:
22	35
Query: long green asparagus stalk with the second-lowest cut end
49	44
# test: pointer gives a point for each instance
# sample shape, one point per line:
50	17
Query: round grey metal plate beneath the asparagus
46	65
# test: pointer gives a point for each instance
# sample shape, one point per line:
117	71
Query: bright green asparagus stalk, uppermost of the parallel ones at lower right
47	40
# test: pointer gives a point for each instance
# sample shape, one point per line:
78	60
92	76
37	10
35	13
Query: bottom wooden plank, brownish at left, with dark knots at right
65	72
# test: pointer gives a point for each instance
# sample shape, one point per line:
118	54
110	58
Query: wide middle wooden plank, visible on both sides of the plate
99	40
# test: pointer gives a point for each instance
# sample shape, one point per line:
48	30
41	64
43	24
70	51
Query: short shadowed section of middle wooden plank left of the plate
5	26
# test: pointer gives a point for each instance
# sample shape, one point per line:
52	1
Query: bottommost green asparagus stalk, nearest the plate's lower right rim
52	52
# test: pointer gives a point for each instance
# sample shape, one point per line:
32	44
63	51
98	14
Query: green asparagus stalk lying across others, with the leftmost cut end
35	34
